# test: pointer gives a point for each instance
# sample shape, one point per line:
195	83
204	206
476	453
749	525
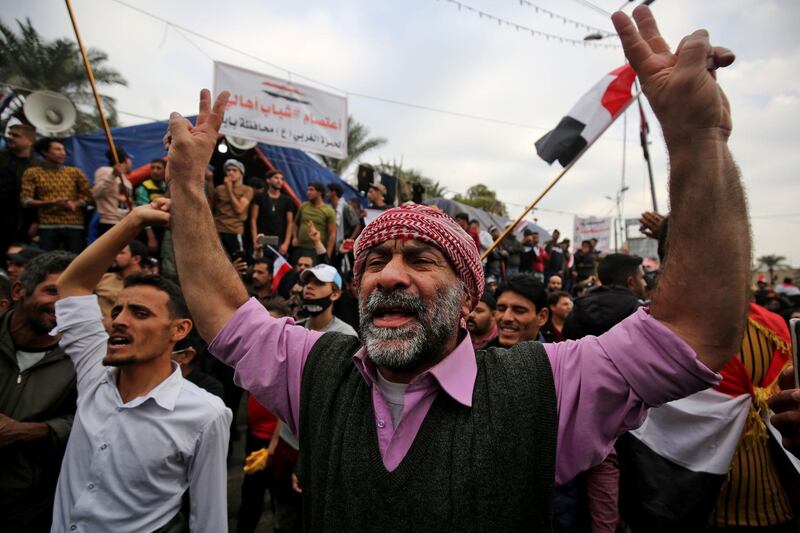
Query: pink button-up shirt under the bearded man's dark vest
604	385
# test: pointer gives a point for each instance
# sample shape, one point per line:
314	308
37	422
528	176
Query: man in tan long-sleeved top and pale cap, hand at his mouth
231	202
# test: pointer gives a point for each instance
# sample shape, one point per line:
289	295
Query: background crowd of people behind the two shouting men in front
297	261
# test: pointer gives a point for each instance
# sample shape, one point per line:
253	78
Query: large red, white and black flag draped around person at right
673	466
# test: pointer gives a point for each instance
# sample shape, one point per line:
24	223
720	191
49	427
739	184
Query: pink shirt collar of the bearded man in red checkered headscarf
455	373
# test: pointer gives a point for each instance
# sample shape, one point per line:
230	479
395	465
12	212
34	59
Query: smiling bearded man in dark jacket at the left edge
37	398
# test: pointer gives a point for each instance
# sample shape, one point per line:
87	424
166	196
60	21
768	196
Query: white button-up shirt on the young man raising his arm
127	465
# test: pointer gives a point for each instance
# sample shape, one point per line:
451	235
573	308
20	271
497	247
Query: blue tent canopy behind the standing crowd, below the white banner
87	151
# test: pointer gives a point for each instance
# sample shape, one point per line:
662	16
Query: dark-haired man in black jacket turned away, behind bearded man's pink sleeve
621	293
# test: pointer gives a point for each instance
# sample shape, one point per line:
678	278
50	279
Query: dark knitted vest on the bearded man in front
490	467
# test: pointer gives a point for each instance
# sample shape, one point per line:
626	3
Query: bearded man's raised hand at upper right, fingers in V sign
681	86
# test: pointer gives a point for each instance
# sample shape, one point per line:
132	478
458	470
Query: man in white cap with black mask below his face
322	285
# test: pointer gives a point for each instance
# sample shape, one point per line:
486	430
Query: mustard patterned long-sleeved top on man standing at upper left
61	183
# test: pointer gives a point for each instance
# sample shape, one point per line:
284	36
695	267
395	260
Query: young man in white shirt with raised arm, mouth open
143	434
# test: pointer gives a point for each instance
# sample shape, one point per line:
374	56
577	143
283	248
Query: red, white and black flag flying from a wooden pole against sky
593	113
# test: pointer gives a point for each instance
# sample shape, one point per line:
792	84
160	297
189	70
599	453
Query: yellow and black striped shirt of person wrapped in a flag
752	495
